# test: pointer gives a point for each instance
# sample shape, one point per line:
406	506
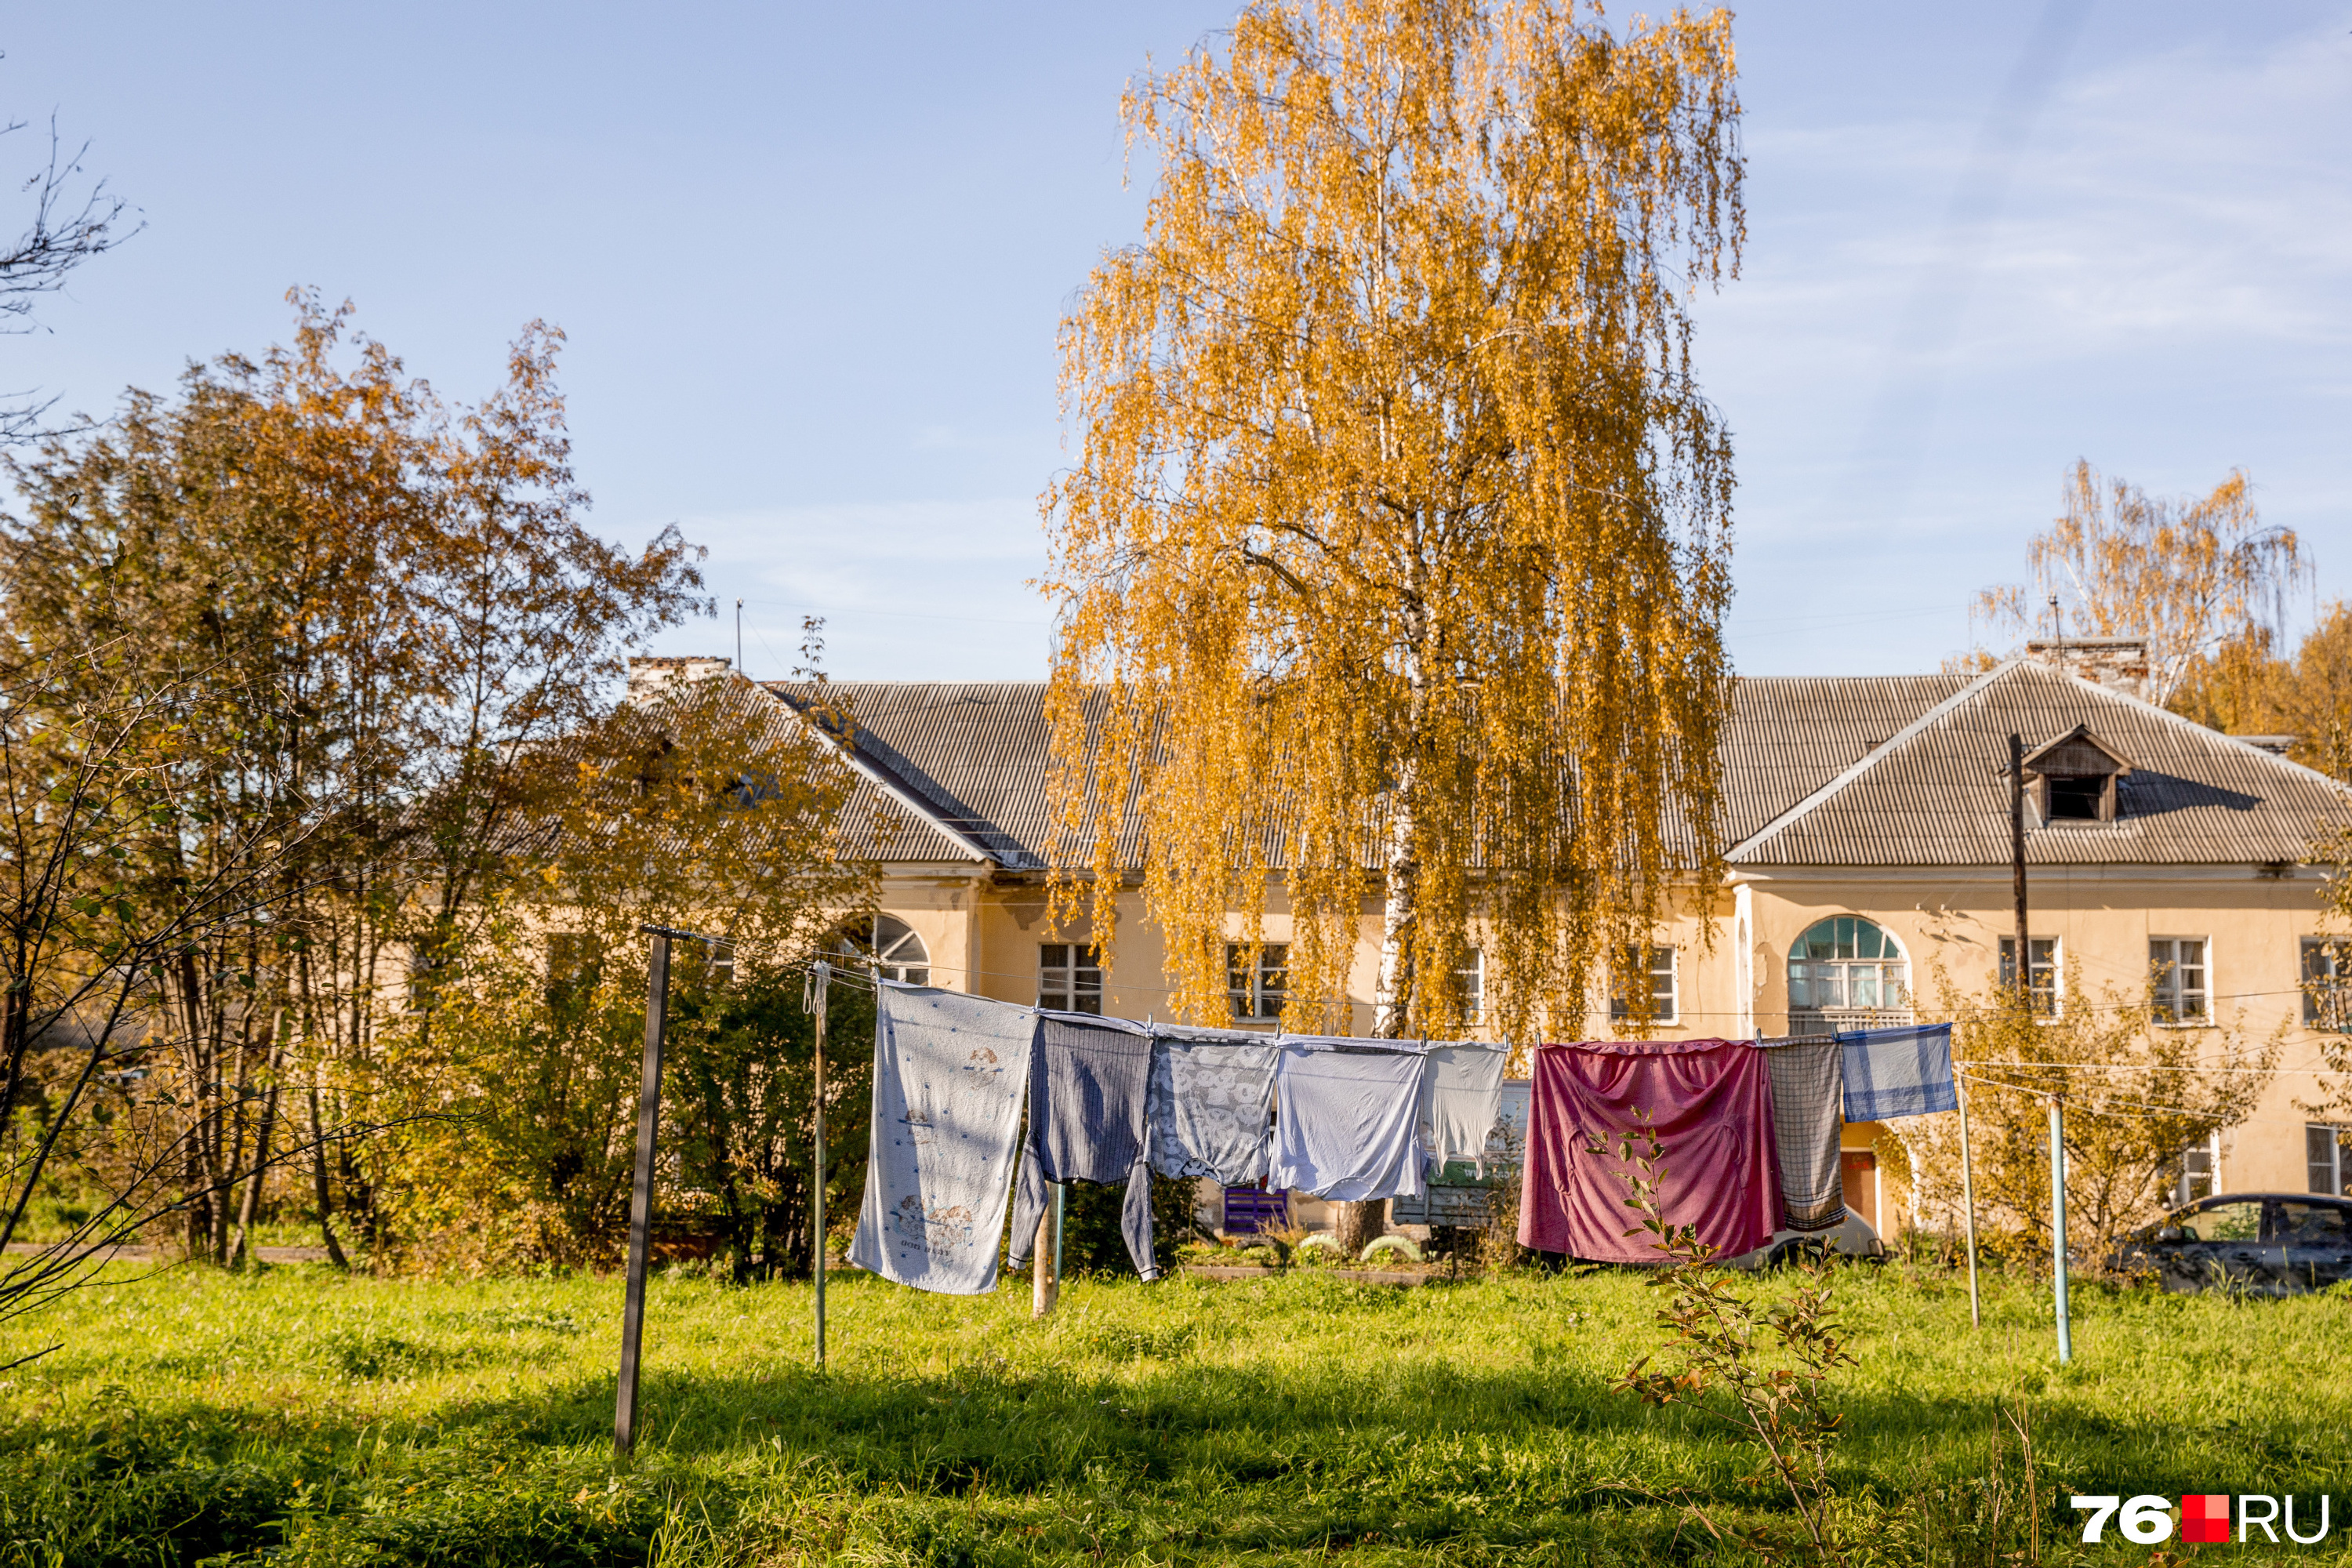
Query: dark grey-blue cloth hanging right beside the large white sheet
1088	1125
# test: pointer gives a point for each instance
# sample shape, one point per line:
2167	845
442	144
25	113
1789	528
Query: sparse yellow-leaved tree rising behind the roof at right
2189	575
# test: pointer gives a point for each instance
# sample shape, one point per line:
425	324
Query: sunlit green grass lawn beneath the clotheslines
307	1419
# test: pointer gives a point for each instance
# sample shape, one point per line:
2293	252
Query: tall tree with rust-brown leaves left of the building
380	610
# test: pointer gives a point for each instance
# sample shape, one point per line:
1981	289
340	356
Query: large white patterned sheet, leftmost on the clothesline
951	1073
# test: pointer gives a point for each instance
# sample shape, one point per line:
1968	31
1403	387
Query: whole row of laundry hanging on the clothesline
1351	1123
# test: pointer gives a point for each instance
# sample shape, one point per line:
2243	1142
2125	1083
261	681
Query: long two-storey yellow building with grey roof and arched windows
1871	859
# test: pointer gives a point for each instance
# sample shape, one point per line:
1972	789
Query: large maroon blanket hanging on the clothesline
1711	1106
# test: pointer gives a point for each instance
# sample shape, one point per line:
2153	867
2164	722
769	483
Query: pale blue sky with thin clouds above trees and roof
810	262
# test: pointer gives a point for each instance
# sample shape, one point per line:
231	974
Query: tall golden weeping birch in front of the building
1396	542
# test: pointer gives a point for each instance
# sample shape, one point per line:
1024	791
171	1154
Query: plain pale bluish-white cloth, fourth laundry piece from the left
1349	1118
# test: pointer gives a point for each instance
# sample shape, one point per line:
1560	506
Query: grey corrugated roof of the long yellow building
1817	772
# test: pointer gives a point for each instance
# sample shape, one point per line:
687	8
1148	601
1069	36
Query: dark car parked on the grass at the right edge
2264	1242
